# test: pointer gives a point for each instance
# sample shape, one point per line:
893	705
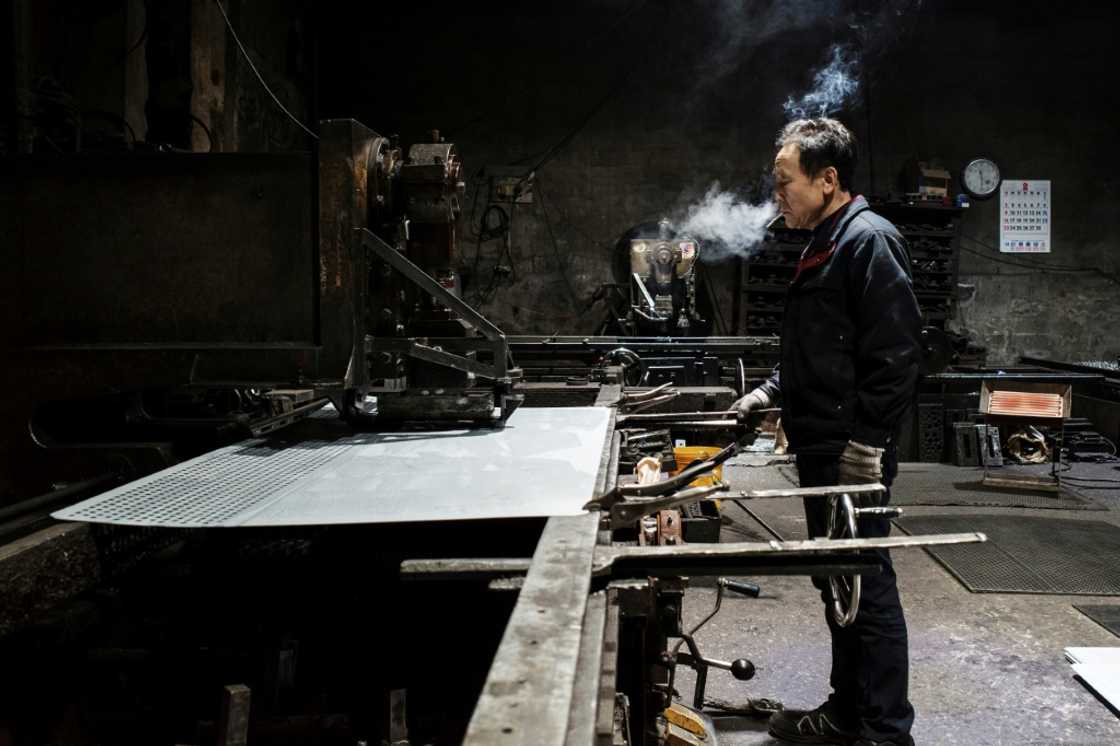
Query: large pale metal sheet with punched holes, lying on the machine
545	462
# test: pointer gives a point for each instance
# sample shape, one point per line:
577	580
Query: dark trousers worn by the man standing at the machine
871	658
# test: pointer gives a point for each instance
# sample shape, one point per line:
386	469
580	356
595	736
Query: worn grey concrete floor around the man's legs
985	668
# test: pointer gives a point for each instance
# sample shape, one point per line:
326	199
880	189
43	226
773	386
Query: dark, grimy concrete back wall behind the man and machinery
692	94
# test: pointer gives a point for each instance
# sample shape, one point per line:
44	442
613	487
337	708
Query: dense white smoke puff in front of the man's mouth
727	225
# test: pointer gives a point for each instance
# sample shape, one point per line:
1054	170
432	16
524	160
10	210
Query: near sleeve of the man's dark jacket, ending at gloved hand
889	324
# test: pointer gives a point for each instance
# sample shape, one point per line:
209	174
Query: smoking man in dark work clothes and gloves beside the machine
850	365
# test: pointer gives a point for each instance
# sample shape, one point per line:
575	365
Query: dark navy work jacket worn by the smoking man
851	337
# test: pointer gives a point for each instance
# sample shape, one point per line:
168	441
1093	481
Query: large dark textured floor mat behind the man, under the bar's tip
1028	555
